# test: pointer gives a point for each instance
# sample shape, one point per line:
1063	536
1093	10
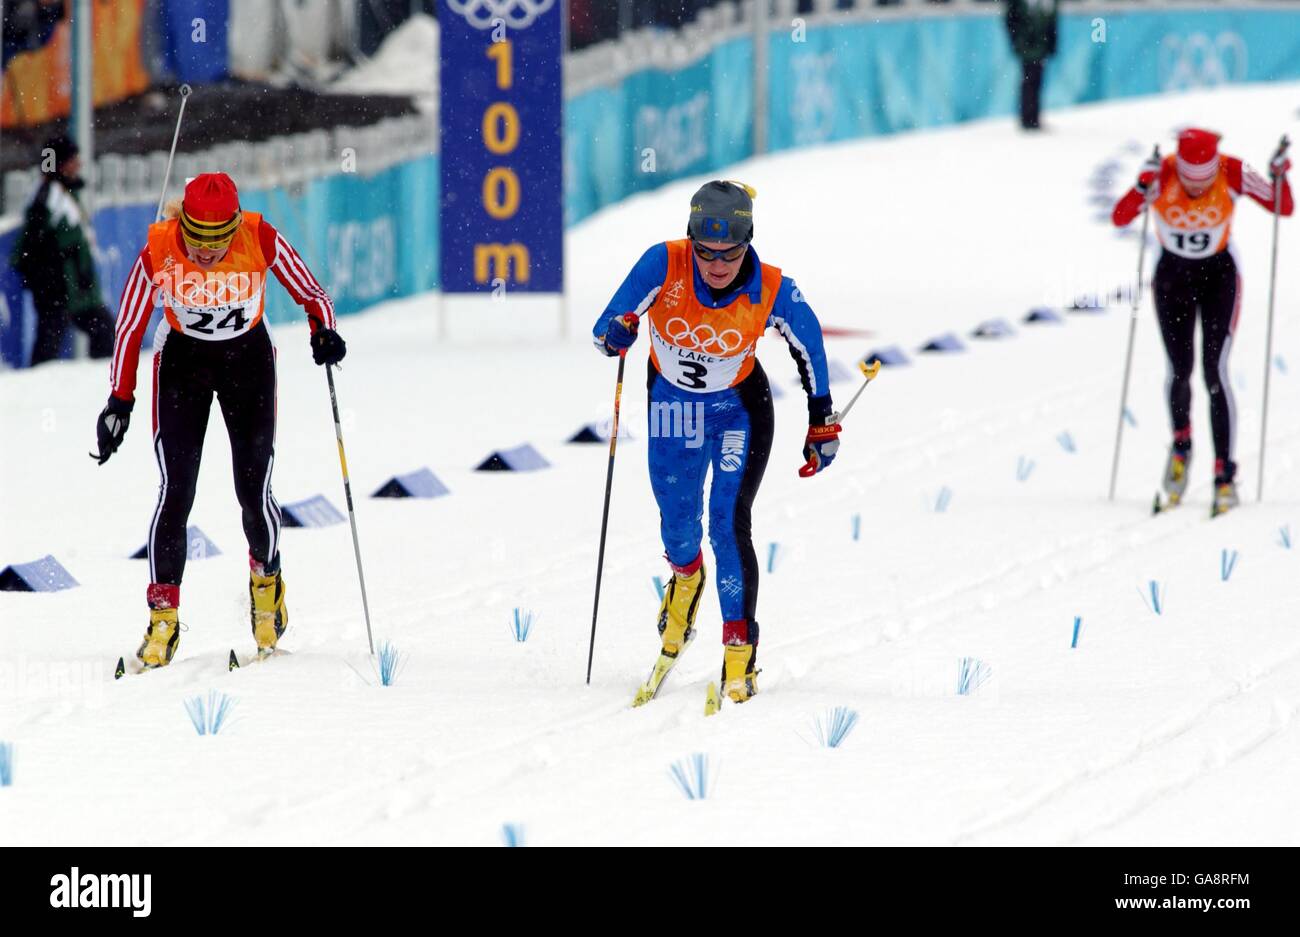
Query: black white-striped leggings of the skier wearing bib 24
242	375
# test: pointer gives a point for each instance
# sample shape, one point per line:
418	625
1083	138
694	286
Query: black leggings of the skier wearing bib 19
1214	288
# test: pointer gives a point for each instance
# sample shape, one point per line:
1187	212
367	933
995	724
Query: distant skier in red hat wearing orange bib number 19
1193	197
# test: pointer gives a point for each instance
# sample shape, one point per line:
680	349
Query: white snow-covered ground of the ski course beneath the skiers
1180	728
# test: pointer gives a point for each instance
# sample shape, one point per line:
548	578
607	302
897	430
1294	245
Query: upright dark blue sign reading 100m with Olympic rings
502	210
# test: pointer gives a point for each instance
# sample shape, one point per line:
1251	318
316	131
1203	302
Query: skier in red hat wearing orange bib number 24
207	263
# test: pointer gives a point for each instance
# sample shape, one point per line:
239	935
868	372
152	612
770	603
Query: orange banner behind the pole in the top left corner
38	84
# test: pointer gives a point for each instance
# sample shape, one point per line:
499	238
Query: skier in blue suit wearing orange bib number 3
708	300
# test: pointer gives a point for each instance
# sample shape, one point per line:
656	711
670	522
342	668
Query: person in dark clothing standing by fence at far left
55	261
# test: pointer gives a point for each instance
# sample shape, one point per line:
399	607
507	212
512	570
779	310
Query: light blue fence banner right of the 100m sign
860	79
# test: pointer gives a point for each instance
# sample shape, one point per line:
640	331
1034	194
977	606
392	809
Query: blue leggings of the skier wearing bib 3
730	431
